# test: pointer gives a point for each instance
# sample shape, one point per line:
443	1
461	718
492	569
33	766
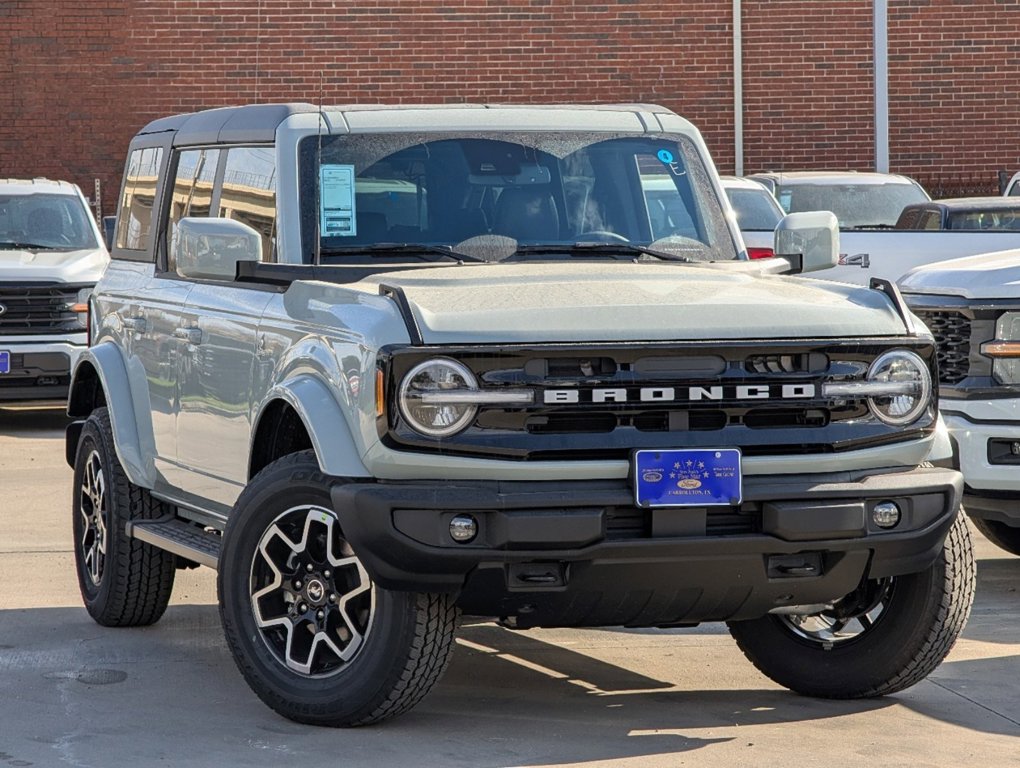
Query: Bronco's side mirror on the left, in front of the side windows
212	248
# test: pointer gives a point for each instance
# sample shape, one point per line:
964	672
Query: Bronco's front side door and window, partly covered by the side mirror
221	321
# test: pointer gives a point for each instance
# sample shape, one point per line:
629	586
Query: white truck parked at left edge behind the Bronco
52	255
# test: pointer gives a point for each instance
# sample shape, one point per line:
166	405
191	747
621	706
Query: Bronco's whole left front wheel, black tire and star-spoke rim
314	637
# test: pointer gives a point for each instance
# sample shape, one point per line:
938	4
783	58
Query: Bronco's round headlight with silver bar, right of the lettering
898	388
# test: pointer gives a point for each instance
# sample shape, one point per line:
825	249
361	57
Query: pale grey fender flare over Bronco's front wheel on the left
325	422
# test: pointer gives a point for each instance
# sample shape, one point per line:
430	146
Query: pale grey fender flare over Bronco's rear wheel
108	362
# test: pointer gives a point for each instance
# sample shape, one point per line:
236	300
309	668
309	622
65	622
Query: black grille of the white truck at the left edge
38	309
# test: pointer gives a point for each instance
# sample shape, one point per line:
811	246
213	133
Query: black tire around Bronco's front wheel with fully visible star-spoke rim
406	647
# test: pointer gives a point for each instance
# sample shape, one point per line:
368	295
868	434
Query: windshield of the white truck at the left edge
44	222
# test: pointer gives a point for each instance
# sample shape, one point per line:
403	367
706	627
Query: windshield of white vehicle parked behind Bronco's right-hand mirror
859	206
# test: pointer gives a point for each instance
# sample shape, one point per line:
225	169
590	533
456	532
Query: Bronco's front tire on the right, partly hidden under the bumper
925	616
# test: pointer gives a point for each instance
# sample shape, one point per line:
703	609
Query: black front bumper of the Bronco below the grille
580	553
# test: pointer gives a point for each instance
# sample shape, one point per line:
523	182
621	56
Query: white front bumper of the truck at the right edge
980	432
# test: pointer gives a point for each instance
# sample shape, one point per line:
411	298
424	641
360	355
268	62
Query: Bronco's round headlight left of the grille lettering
437	420
